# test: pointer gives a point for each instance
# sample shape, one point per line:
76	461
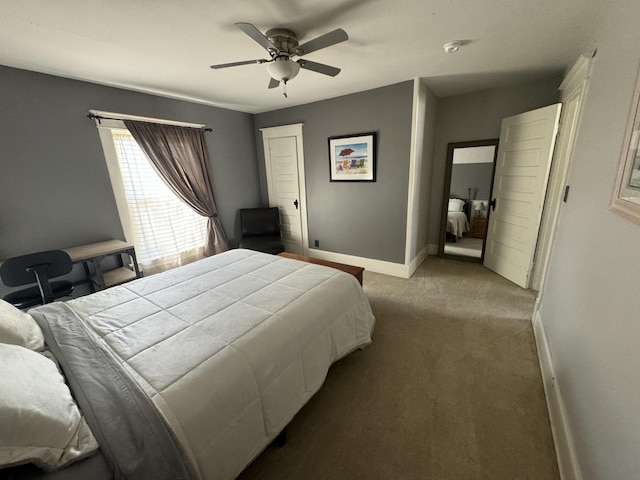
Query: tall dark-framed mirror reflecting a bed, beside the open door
466	201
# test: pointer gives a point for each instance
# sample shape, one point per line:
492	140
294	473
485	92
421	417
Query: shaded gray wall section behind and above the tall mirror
477	116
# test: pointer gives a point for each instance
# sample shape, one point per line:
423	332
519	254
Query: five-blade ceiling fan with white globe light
282	44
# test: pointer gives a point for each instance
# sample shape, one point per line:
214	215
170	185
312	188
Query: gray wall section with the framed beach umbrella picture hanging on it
355	218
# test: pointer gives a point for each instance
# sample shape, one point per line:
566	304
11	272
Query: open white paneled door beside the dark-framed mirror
519	186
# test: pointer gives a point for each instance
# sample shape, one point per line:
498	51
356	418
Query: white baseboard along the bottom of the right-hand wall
563	440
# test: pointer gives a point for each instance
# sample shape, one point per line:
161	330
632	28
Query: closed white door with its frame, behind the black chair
284	165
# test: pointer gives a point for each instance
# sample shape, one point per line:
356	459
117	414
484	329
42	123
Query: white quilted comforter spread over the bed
231	347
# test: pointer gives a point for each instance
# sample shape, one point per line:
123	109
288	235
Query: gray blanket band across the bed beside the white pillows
134	441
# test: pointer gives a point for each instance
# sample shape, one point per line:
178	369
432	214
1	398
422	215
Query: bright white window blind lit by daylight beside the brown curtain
167	232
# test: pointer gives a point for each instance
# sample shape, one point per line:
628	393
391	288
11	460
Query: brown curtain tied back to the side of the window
179	155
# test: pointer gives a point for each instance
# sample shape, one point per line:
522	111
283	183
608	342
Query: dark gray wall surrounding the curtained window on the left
55	189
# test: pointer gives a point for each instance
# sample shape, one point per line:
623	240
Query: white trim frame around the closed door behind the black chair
293	130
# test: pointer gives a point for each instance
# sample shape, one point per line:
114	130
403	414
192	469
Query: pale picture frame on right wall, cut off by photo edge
626	195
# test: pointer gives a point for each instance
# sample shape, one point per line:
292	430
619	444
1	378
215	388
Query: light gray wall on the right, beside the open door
590	304
